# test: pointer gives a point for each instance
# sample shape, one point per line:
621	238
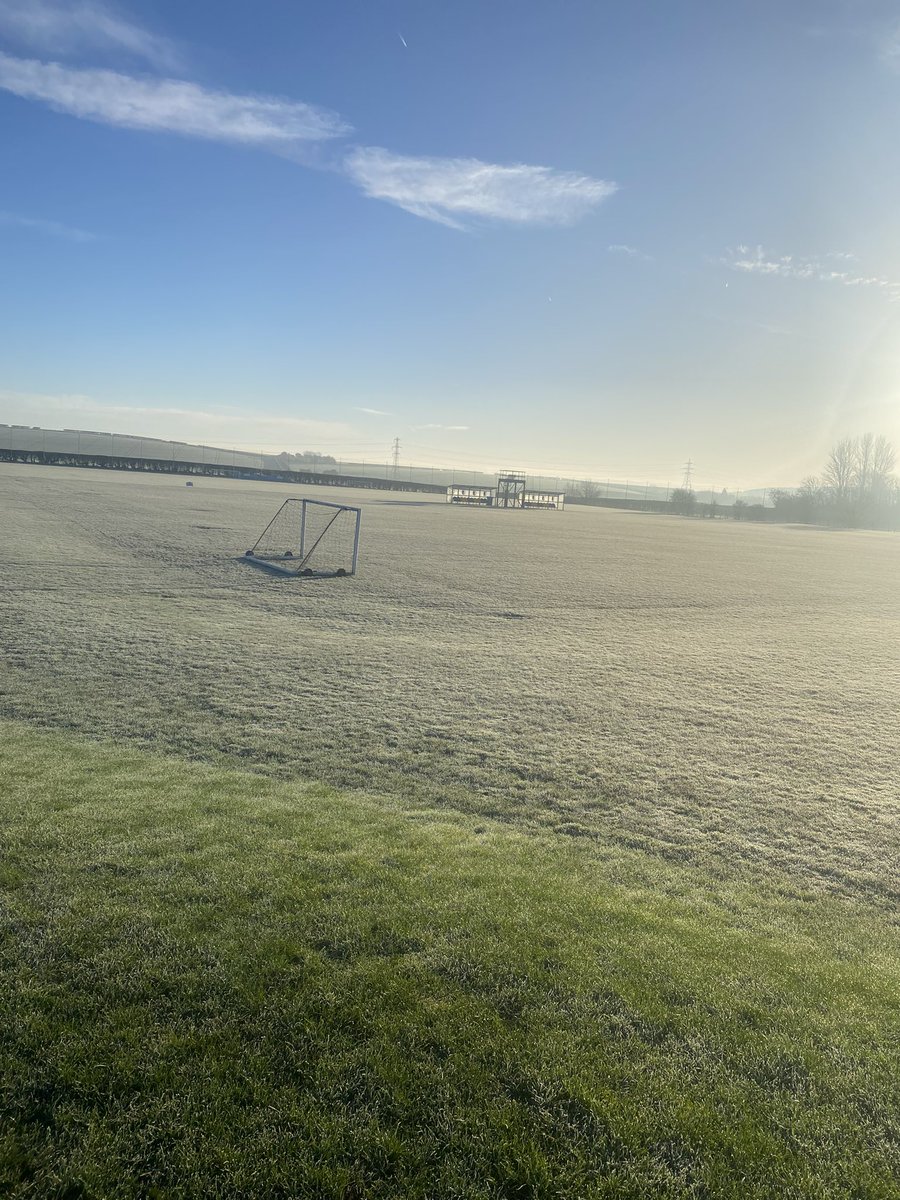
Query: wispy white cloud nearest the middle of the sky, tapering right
449	190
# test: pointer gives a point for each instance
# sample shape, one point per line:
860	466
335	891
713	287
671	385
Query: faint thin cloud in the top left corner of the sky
83	26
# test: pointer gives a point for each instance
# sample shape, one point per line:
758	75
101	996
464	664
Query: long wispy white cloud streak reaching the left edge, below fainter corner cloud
172	106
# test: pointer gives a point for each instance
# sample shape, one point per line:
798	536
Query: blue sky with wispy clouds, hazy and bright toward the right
577	237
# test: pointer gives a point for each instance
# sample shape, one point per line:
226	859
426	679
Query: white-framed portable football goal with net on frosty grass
309	539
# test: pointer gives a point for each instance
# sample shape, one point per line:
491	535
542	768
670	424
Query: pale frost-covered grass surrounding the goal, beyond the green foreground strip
716	694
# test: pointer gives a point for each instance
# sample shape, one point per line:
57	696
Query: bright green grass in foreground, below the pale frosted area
213	985
